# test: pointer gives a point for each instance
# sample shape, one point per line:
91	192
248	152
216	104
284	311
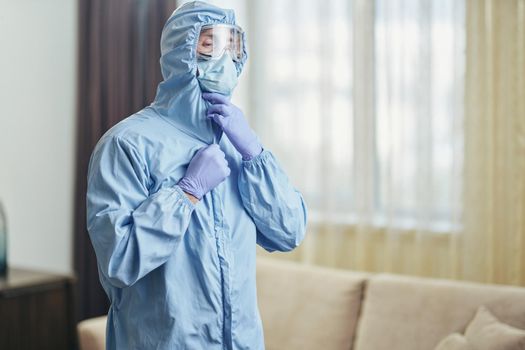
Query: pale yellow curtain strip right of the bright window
493	247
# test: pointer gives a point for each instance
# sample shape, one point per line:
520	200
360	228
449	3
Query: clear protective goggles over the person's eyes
215	39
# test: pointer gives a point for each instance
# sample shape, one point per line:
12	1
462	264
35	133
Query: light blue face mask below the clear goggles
218	75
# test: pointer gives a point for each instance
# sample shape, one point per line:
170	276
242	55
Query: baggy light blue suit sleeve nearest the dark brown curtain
132	231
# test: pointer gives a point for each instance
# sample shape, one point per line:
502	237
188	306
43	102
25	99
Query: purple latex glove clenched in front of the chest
207	169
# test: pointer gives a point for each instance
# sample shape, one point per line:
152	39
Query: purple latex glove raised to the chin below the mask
232	121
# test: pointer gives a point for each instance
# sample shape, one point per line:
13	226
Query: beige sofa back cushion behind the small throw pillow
408	313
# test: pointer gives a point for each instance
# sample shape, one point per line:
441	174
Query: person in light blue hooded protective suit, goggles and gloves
180	193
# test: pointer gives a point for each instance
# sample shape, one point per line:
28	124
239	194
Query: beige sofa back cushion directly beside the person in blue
306	307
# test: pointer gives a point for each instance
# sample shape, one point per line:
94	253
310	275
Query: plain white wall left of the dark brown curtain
38	43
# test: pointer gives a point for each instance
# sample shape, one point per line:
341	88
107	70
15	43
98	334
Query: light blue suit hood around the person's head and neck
179	96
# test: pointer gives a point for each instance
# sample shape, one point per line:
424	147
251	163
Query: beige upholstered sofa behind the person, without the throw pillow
306	307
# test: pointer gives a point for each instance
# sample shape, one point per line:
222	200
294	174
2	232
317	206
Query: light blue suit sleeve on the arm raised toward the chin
276	207
